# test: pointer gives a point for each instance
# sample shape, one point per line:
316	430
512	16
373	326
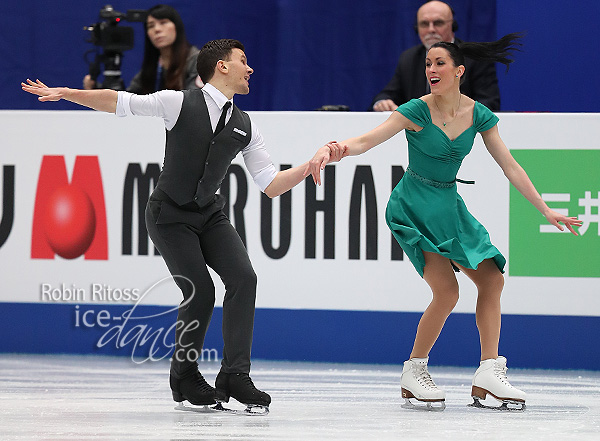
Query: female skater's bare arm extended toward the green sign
518	177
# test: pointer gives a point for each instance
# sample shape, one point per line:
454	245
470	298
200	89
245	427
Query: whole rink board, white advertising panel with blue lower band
331	285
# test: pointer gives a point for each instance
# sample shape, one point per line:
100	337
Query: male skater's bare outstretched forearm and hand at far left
104	100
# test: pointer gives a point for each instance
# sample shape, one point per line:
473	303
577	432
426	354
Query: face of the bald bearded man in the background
434	23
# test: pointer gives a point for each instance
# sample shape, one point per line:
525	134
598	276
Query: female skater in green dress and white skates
431	222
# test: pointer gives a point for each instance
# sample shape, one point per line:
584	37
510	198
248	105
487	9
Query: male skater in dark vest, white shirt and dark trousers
184	216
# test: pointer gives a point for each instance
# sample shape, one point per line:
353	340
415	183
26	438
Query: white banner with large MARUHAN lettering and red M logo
318	268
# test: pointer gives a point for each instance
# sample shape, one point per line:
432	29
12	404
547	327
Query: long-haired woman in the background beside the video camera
169	60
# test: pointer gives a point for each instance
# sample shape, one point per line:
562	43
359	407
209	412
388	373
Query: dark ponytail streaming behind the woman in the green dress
499	51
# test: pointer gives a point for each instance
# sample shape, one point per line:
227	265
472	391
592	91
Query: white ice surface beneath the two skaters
106	398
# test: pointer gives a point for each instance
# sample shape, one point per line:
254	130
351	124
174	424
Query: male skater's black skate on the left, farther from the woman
194	389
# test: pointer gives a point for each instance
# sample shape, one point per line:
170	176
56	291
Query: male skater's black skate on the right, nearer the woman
241	387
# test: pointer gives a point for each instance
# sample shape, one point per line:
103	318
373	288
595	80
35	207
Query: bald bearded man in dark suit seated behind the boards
435	22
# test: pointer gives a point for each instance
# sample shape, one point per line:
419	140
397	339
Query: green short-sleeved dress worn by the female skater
425	211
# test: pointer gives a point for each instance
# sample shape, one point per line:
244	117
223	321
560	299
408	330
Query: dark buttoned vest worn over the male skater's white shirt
196	161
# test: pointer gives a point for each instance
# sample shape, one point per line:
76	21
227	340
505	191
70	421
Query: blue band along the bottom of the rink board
531	341
